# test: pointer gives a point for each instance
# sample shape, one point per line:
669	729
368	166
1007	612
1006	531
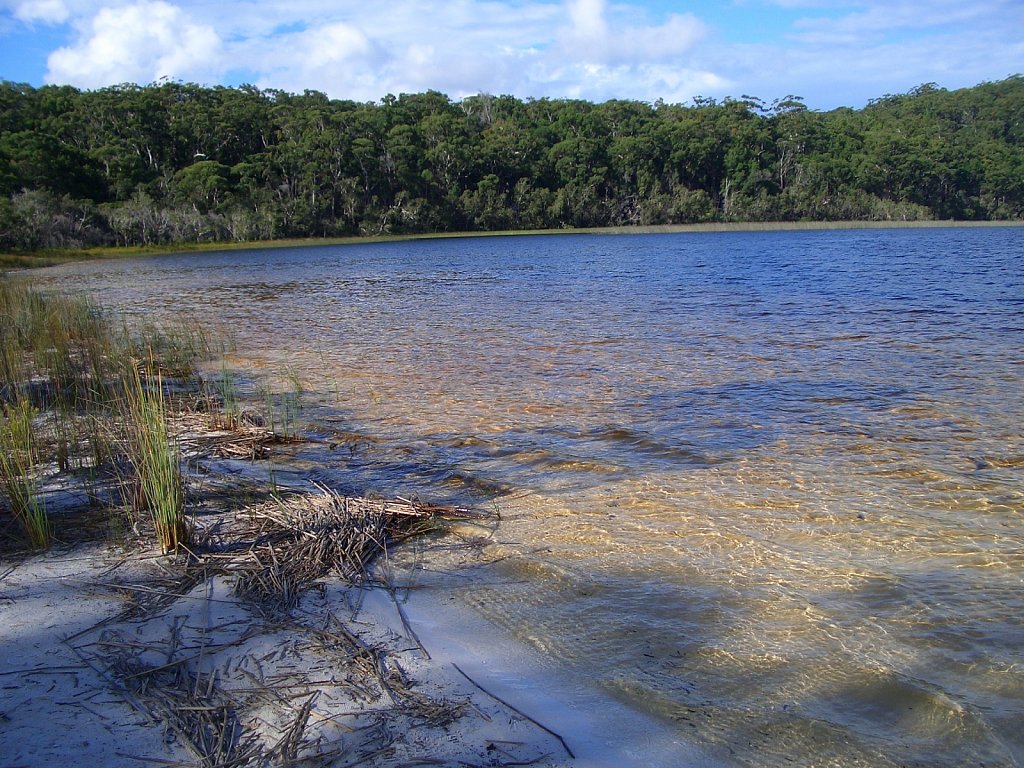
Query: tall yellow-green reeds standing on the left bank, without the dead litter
74	395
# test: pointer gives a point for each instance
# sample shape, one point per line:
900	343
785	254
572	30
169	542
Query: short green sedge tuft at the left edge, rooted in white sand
19	468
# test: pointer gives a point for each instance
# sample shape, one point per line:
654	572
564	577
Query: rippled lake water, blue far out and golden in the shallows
766	487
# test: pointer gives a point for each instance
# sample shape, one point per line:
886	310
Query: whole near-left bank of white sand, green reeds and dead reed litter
208	601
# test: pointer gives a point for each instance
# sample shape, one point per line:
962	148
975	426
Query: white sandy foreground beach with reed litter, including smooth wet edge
113	654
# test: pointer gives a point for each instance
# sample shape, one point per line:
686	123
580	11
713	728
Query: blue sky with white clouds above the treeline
830	53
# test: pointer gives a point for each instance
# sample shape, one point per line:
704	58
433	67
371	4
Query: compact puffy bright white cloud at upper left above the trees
142	42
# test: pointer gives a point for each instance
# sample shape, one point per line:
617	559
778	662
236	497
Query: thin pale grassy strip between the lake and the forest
18	262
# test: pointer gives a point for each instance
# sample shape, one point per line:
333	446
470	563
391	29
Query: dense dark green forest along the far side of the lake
178	162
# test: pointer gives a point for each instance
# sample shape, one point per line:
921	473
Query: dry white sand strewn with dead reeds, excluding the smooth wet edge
202	679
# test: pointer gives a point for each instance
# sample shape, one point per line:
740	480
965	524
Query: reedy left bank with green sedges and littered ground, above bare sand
115	416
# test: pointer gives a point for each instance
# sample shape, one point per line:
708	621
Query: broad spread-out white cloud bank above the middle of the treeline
462	48
